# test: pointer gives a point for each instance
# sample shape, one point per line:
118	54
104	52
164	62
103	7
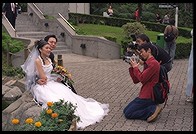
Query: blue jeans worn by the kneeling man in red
139	109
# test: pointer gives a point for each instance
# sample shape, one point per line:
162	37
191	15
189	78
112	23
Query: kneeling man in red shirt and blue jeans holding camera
143	107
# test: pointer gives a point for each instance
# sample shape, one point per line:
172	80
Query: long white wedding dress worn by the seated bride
89	110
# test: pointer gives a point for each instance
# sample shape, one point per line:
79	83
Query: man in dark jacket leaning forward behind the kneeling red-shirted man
159	53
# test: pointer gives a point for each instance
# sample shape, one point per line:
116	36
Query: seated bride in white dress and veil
38	63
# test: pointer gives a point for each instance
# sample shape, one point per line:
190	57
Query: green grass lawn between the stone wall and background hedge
117	32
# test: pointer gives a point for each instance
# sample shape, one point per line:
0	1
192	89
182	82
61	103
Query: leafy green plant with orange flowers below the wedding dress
65	115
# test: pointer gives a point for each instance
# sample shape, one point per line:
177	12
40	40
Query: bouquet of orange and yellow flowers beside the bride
62	75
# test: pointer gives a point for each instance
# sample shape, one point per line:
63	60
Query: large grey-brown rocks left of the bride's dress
21	102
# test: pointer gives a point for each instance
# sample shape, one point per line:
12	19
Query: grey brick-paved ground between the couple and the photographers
108	81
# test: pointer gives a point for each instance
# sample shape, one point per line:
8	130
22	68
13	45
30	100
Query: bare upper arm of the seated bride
40	70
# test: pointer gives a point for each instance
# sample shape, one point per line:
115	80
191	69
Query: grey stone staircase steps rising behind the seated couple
26	28
